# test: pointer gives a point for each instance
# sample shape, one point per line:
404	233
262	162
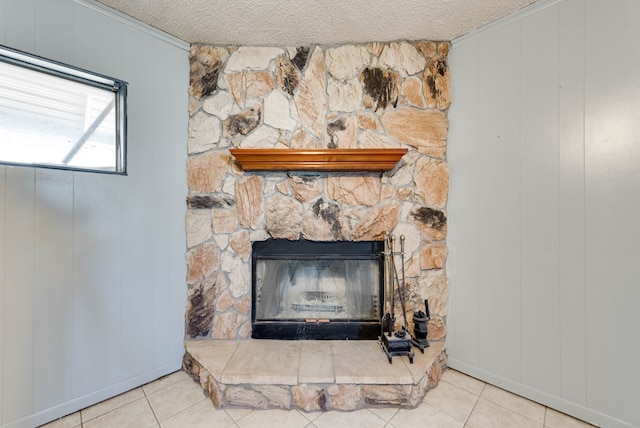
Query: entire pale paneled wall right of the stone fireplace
544	153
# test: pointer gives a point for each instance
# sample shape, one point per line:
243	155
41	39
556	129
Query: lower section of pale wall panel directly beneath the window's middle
53	284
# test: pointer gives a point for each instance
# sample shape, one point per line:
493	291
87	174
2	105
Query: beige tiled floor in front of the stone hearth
458	401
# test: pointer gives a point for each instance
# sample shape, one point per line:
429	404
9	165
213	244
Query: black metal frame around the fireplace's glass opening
272	249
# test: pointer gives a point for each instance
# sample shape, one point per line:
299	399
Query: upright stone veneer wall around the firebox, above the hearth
368	96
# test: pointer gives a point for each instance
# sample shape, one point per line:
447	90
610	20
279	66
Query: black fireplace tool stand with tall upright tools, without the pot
394	342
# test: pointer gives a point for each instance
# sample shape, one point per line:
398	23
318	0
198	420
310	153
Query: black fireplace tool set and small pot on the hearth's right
400	342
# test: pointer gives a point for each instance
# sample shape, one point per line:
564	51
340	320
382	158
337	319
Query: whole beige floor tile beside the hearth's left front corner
175	398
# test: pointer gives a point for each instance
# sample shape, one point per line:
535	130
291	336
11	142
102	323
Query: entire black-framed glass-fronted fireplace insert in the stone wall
317	290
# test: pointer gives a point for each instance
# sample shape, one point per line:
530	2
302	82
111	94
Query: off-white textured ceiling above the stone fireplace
285	22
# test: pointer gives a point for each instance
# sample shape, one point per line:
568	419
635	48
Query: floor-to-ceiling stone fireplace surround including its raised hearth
313	98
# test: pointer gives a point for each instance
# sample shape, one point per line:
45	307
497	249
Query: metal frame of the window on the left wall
63	71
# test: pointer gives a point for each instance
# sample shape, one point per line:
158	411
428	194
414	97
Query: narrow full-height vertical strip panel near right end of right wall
571	197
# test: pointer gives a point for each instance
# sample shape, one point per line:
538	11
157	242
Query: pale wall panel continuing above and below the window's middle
53	244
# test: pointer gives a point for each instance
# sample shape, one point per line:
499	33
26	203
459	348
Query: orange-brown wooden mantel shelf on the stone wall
327	160
